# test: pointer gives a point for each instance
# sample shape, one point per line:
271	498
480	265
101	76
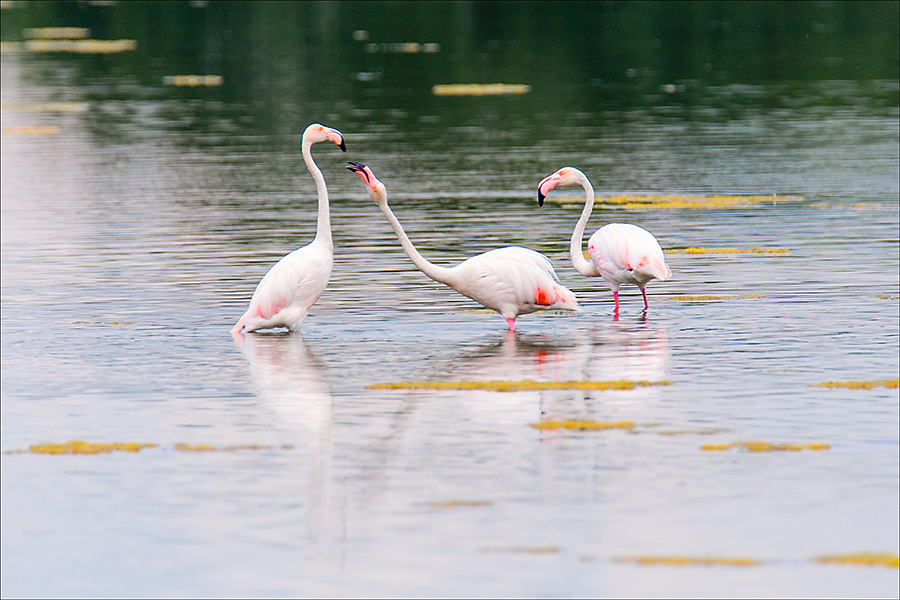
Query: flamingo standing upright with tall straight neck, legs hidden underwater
294	283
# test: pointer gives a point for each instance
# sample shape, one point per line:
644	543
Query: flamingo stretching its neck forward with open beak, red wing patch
512	280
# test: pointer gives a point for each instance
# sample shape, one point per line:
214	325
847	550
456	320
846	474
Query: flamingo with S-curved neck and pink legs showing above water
620	253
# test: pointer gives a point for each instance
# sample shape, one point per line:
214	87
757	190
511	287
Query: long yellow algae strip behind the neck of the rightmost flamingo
676	201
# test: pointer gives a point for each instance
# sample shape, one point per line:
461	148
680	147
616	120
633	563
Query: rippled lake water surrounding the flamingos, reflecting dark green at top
138	217
